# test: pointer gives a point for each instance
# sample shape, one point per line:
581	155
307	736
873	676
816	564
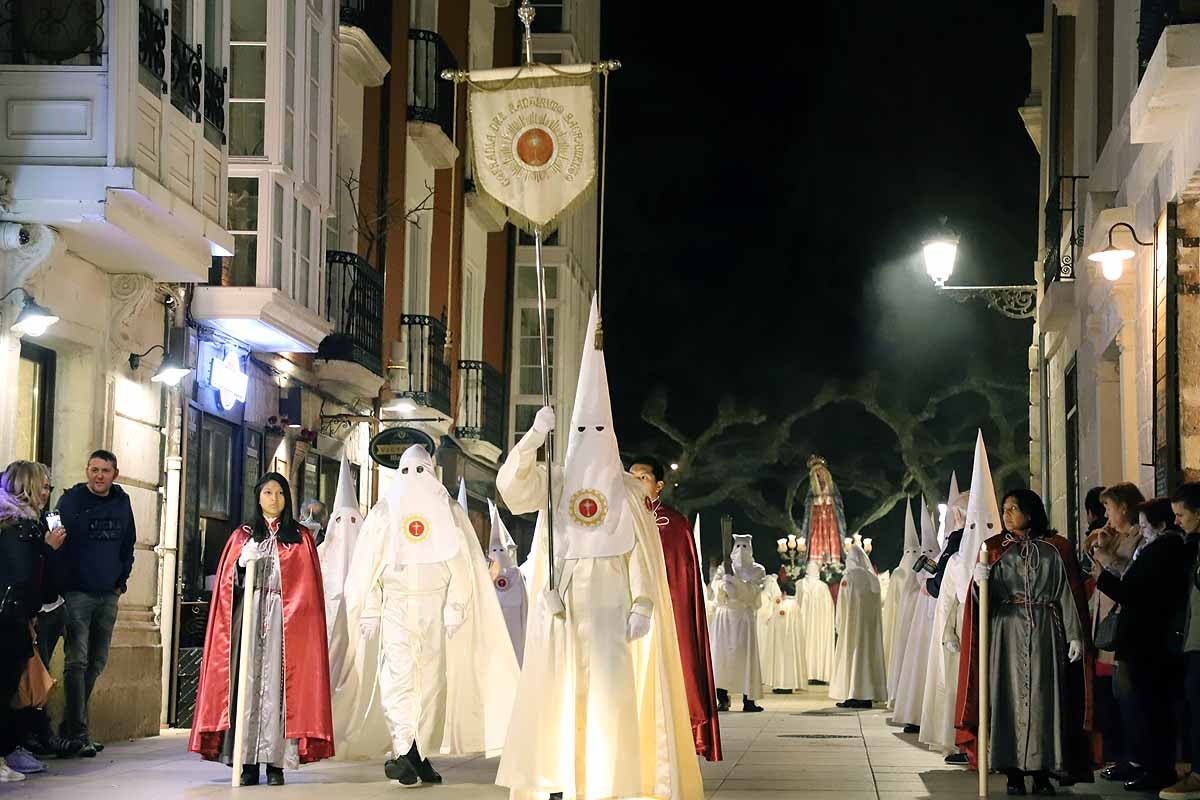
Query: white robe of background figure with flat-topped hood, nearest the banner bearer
737	661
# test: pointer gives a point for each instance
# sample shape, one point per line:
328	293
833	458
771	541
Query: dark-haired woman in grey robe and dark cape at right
1040	690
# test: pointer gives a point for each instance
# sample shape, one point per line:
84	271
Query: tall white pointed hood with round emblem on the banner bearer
590	520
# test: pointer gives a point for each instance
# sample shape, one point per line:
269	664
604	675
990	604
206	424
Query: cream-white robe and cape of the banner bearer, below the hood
601	717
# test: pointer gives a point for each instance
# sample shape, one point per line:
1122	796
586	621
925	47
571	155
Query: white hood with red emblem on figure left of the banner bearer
424	527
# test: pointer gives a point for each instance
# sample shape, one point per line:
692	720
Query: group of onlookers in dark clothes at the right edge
1145	623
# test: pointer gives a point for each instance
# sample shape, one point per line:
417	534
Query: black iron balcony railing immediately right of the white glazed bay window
355	299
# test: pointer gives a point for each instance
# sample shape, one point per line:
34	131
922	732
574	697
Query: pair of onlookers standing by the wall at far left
62	573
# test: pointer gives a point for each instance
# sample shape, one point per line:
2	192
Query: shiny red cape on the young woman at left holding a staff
307	695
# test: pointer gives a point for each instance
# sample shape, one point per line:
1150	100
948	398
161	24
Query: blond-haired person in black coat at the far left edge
25	545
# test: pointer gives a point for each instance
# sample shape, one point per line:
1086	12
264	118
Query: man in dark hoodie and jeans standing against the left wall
93	568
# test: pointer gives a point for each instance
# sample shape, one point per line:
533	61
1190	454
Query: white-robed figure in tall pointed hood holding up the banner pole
602	691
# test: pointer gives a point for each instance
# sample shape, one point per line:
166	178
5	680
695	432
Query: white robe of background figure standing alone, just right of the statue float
859	670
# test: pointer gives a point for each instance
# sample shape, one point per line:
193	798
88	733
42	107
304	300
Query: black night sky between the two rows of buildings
771	179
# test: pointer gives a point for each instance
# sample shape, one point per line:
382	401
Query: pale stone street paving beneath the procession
801	747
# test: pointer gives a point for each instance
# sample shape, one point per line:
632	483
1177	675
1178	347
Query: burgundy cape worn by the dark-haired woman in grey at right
1078	718
